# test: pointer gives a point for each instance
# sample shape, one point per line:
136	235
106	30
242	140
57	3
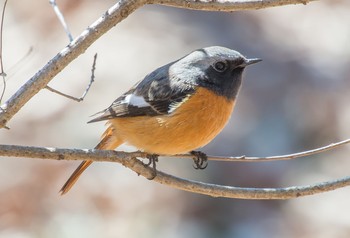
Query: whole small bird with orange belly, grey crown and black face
175	109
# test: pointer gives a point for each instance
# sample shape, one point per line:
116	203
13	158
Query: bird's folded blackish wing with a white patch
157	94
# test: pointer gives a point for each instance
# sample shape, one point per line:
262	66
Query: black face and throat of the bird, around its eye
224	77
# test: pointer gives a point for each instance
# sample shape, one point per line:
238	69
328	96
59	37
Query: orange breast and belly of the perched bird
194	124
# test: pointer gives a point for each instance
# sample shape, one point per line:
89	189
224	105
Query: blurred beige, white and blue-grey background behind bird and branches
296	99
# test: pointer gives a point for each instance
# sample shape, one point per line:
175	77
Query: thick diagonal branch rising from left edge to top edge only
115	14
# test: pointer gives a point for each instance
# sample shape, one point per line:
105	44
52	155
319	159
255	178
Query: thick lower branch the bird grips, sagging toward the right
129	160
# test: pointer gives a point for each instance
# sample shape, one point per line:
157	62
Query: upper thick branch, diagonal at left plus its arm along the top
118	12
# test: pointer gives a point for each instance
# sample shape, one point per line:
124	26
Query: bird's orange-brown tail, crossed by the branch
109	142
